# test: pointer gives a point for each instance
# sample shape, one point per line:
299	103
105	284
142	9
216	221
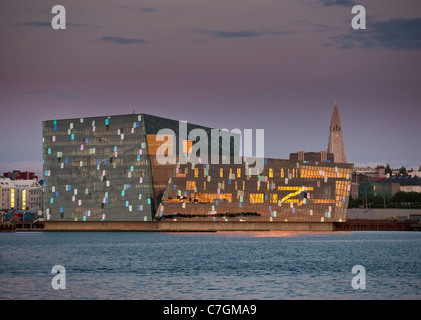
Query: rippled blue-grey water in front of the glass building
227	265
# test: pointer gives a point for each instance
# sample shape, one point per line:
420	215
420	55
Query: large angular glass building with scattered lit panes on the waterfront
108	169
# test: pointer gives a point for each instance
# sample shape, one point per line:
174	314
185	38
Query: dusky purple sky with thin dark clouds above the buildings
247	64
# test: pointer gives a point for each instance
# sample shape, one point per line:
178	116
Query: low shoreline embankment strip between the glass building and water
214	226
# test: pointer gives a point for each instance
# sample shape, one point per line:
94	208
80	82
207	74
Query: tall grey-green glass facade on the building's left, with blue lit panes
97	169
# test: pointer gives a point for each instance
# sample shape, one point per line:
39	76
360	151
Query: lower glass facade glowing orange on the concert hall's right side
285	191
